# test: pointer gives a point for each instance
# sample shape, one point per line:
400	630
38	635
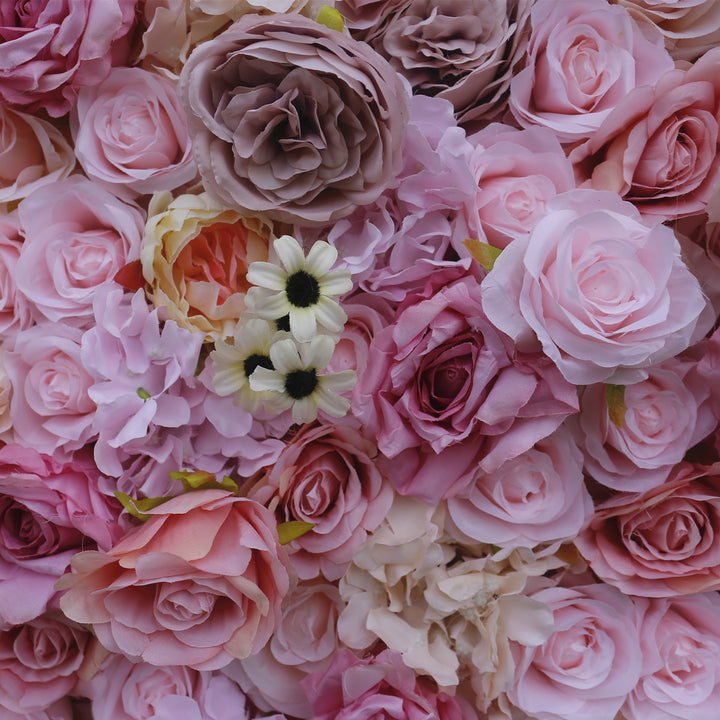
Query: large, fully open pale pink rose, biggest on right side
602	293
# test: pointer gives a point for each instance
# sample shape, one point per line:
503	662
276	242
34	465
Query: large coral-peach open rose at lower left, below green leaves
200	583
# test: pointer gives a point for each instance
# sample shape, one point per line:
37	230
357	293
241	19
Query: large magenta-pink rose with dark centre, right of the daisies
446	393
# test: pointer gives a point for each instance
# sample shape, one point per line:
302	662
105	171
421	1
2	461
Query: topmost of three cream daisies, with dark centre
302	291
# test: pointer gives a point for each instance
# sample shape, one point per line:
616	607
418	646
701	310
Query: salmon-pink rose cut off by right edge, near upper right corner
658	147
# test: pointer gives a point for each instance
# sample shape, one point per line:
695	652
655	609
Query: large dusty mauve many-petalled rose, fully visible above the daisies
293	120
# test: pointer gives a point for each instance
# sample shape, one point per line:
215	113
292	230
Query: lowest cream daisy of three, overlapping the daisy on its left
297	381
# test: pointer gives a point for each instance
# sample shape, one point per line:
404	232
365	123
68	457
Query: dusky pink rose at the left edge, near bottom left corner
39	663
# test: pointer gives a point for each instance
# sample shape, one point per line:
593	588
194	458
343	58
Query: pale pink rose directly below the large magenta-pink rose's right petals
537	497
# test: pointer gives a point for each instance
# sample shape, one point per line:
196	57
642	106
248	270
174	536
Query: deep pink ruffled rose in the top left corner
52	48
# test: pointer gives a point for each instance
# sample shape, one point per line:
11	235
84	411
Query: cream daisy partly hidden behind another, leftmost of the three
233	364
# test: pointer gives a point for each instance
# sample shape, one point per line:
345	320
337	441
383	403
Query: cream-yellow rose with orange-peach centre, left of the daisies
195	256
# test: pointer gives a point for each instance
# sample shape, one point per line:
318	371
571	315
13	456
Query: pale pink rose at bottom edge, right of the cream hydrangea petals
590	663
